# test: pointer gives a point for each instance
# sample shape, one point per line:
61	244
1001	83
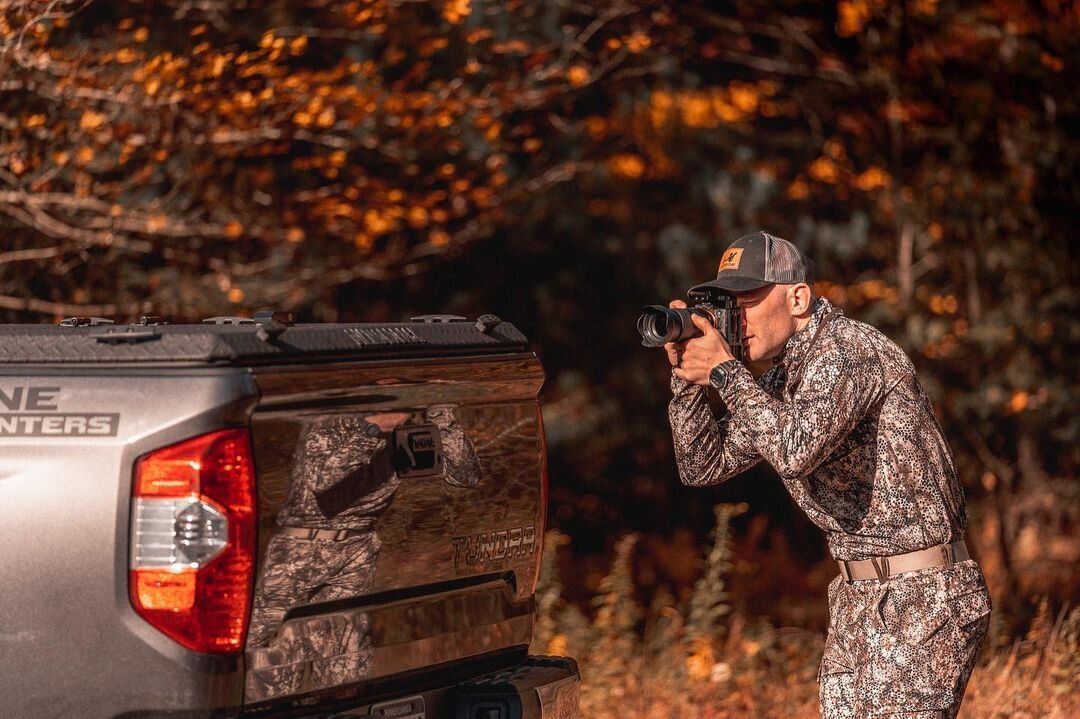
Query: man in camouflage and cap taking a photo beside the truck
842	417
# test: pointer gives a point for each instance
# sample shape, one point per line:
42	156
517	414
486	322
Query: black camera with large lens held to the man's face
660	324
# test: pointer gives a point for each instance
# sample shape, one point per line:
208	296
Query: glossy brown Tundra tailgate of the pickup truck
400	519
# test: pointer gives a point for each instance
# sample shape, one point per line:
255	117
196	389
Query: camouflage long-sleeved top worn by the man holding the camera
844	420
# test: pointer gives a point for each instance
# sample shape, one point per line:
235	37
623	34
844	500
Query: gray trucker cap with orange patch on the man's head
759	260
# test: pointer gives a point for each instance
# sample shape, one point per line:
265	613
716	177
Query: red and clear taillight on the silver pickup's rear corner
193	554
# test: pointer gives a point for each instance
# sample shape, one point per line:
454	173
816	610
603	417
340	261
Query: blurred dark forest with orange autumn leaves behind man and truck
562	165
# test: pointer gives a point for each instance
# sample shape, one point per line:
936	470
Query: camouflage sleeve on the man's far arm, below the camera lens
707	452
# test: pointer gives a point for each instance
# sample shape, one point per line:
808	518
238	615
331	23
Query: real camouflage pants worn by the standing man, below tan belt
906	646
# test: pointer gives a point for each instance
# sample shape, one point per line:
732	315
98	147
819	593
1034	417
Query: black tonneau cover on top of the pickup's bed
253	343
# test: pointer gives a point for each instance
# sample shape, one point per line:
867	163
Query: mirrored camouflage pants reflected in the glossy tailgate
319	652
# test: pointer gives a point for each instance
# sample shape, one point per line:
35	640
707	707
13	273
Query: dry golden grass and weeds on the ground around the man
701	661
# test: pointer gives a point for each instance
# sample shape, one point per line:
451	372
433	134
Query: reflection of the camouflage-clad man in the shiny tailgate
343	481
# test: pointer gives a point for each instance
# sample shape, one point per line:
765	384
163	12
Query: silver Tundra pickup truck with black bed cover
250	518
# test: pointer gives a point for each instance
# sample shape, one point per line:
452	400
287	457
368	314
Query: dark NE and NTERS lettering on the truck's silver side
33	412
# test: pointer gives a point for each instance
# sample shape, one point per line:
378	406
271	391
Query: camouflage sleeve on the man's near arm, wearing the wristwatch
839	389
